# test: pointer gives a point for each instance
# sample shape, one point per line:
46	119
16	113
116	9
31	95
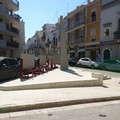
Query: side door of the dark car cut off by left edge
4	71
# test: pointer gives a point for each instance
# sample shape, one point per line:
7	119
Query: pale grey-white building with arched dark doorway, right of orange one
110	29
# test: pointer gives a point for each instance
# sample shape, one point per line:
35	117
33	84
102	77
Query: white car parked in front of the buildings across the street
87	62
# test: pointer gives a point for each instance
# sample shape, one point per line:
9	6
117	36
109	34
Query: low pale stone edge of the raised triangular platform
81	83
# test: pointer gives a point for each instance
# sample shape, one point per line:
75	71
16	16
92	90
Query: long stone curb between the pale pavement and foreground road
55	104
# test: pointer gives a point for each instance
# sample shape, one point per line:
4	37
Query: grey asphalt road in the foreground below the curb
93	111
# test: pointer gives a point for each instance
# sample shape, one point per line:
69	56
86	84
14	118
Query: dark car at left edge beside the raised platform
9	68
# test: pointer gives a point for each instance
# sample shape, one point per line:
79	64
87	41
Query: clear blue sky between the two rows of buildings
36	13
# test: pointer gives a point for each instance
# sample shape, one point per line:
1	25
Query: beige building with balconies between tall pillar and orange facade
76	27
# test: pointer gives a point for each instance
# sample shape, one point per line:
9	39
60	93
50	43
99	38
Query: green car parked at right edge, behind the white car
111	65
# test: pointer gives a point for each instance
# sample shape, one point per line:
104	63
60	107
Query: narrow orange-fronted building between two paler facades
93	29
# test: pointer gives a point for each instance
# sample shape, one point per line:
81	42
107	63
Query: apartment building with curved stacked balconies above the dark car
12	38
